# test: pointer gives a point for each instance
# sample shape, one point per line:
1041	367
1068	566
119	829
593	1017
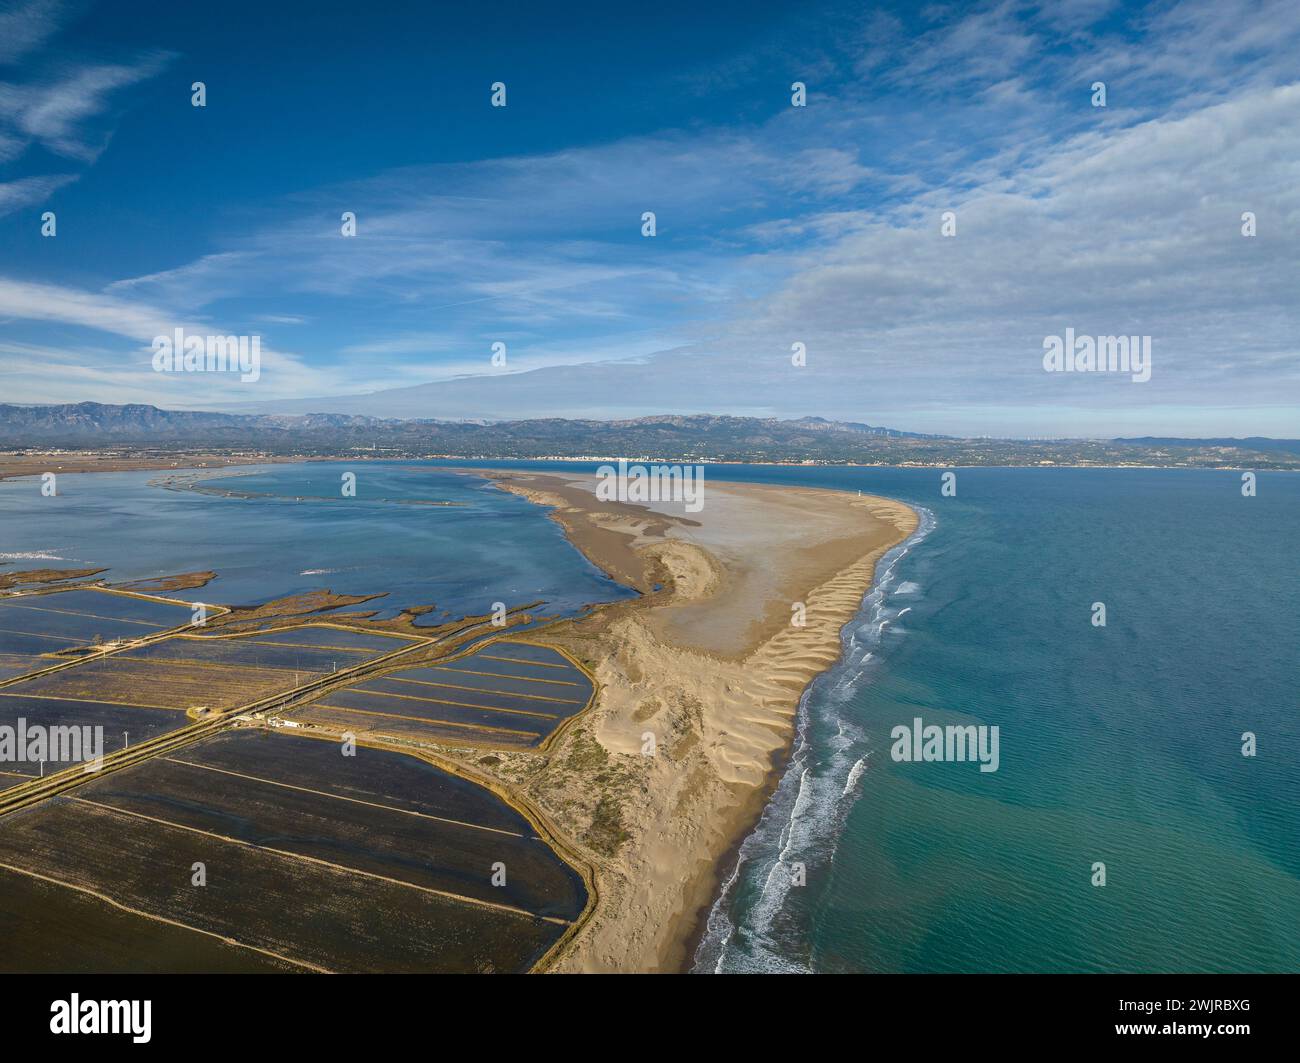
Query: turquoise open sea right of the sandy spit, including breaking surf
1120	745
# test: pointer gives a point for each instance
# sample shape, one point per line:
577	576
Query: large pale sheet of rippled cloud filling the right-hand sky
1116	232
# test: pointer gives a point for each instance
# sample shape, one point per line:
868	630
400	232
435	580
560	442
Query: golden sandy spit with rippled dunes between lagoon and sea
699	683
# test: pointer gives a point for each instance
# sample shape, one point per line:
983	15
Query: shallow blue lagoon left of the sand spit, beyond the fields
489	546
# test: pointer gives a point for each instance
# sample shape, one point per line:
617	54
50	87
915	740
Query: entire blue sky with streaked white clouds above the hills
775	224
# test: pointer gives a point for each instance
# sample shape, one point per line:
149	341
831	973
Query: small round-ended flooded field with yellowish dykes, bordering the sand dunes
506	695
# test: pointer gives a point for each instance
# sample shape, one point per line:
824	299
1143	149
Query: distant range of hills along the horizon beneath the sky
140	428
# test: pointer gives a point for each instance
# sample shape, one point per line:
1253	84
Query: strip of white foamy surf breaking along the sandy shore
804	819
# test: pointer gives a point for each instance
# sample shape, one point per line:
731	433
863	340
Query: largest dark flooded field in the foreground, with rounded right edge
311	860
